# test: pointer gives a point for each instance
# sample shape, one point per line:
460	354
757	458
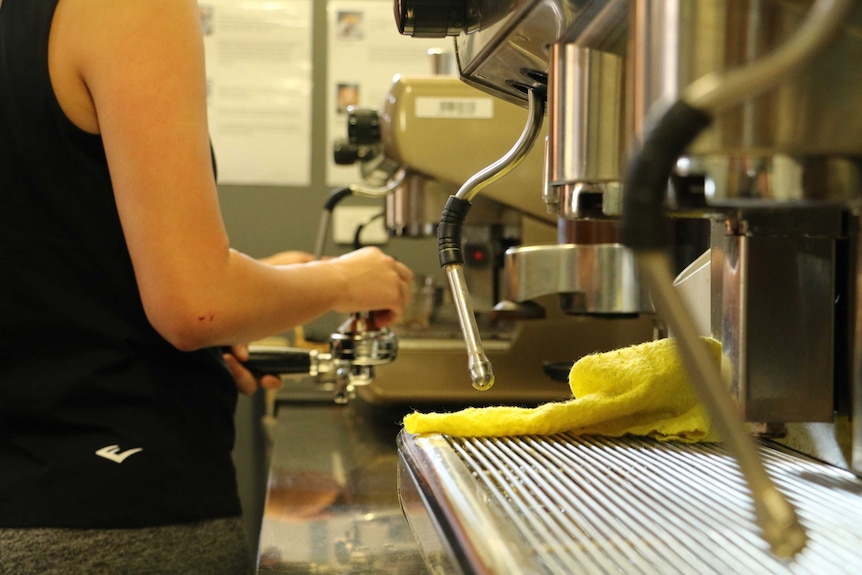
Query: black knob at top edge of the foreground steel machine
431	18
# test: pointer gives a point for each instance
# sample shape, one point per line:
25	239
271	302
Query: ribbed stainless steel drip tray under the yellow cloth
565	504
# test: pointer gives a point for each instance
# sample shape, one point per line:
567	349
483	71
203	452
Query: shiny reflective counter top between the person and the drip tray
332	504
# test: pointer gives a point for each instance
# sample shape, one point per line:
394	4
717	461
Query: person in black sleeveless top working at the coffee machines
118	287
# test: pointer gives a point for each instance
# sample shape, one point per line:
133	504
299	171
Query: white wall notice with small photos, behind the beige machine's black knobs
365	53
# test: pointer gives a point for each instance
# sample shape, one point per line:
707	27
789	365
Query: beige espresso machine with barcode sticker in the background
431	134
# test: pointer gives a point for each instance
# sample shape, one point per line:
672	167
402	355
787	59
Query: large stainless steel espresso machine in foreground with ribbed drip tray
740	114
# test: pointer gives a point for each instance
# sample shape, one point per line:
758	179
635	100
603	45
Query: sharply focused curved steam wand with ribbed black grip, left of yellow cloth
449	239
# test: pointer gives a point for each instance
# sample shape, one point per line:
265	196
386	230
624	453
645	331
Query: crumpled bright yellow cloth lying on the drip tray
639	390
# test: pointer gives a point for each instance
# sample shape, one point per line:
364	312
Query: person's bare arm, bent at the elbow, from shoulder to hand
140	64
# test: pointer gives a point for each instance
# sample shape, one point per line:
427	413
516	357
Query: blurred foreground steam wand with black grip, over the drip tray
642	230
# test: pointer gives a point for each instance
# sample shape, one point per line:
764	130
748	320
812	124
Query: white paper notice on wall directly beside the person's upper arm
258	56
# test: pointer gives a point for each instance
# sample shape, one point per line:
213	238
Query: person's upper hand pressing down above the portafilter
375	282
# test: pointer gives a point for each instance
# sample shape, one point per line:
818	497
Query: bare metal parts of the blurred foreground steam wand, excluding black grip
775	515
